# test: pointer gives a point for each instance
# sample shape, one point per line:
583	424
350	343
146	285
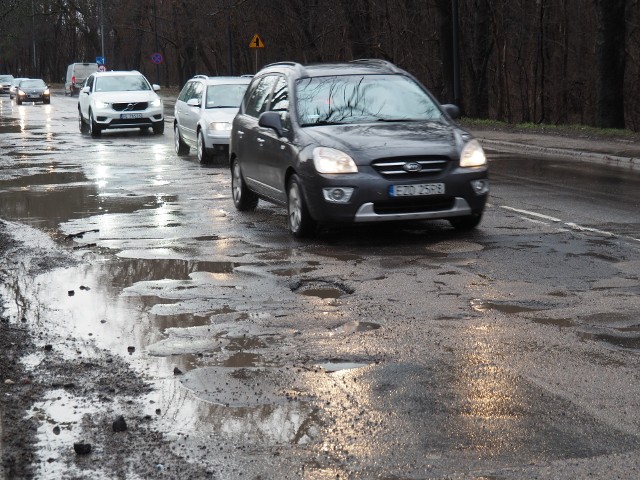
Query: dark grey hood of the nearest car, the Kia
367	142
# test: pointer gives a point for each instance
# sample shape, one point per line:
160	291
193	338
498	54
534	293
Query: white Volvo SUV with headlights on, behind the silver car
119	99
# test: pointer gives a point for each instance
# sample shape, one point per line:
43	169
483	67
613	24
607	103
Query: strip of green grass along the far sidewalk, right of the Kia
547	129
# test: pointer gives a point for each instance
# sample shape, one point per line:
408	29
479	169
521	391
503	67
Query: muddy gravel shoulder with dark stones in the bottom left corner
121	438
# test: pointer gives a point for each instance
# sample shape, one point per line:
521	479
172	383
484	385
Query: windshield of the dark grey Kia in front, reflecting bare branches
362	99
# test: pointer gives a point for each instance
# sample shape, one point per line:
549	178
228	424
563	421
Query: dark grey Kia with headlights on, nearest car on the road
353	142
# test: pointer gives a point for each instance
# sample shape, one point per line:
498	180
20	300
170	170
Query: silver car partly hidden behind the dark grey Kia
203	113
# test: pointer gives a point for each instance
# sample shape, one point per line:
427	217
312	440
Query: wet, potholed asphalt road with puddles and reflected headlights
235	351
